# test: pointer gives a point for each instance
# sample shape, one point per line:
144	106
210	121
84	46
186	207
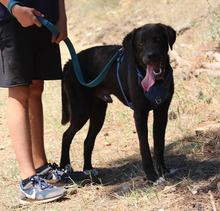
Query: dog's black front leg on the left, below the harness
142	130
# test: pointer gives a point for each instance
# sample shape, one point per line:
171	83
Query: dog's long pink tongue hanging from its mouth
149	79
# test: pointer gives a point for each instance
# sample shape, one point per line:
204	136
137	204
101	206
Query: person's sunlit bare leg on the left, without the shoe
19	128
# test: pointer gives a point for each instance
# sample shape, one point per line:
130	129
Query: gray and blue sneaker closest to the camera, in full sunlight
38	191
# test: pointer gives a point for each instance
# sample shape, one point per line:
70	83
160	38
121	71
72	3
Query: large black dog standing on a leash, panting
146	54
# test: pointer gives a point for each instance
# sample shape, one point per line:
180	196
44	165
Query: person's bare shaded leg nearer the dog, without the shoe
36	123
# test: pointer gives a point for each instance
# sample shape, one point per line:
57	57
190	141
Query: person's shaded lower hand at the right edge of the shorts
62	27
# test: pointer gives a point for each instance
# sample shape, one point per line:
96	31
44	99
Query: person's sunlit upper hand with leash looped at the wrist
26	16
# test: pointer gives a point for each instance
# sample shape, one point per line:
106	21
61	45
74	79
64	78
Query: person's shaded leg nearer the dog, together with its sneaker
43	169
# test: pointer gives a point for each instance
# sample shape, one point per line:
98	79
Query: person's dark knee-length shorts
27	54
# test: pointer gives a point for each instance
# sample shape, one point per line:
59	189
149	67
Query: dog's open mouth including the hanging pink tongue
153	72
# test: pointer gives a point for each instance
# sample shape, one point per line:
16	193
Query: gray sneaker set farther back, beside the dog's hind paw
53	175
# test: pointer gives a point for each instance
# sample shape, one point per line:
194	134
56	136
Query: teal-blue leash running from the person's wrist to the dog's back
72	51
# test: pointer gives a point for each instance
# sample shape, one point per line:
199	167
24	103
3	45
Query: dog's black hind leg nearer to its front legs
96	122
